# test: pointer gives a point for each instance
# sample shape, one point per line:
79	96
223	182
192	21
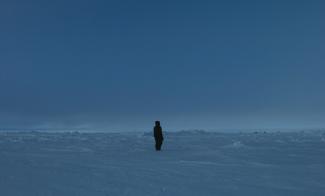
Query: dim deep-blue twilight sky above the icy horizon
121	65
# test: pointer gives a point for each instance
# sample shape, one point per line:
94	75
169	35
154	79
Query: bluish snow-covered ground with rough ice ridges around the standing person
191	163
